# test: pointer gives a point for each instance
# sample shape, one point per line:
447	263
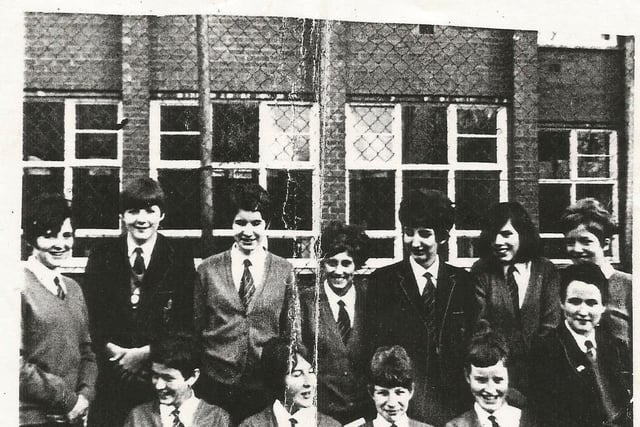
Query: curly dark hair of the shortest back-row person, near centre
339	237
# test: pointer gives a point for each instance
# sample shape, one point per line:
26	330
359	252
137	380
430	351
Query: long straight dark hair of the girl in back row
496	218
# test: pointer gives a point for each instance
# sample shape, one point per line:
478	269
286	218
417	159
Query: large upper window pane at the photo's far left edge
43	131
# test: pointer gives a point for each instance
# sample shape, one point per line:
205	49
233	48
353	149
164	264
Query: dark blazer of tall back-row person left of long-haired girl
395	315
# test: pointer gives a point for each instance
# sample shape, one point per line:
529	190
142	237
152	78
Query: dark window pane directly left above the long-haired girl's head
475	193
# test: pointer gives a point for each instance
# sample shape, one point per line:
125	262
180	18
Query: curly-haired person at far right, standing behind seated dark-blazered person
588	228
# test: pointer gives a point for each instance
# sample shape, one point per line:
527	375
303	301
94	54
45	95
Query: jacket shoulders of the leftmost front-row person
148	415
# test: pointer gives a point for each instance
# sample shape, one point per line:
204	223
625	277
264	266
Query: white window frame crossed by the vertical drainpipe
261	166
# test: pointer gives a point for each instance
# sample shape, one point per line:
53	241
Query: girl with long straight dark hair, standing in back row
516	288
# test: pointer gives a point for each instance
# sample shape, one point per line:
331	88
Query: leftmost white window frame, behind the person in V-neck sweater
77	264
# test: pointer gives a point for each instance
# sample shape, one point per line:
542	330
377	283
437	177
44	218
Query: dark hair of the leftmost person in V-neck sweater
45	215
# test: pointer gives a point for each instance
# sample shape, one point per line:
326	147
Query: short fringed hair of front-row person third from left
391	367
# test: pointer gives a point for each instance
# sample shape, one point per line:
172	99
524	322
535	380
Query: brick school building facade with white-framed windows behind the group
336	119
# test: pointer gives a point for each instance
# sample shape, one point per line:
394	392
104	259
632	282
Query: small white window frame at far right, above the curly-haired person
575	180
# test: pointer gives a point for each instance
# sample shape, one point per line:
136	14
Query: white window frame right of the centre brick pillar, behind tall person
452	166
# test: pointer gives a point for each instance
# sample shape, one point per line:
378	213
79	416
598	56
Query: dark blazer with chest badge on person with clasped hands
166	300
